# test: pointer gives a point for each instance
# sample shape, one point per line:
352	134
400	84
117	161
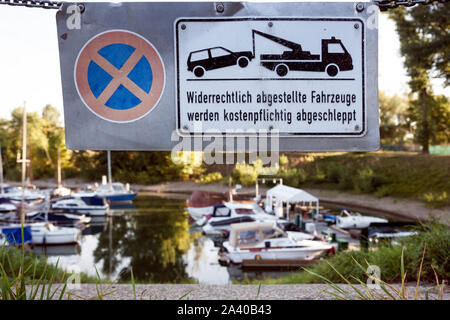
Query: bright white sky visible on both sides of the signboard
30	71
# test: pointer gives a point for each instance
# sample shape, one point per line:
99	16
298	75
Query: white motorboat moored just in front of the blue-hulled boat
88	203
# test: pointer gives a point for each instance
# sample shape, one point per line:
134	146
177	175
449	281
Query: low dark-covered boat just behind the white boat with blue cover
59	218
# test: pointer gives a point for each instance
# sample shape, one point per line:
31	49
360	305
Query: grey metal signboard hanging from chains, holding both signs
144	76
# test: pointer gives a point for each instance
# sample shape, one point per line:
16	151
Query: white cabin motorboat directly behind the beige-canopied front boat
234	212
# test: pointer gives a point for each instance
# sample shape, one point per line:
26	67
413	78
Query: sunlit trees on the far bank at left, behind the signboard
45	139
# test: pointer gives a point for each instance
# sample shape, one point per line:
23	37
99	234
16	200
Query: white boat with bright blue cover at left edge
41	233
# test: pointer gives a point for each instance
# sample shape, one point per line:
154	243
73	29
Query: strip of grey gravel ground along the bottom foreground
218	292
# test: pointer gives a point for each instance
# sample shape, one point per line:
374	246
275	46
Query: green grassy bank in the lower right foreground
390	259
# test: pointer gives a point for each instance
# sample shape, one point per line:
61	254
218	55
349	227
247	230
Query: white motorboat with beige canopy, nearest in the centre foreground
264	241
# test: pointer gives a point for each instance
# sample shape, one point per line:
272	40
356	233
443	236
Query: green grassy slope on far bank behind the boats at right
384	173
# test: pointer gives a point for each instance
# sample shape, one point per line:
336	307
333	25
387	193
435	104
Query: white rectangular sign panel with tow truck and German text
299	76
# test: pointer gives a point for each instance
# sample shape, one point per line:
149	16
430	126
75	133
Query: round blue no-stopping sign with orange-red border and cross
119	76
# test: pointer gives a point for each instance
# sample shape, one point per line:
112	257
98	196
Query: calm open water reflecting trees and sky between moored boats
154	239
